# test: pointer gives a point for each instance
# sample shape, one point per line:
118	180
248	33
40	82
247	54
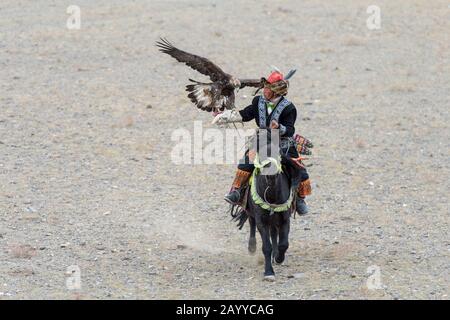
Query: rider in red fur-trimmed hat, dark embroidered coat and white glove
270	110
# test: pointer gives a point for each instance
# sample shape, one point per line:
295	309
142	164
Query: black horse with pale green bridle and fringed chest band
269	205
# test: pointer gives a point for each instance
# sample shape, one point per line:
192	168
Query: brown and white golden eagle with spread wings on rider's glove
217	95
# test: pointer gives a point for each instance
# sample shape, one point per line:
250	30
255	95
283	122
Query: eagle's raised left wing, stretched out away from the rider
197	63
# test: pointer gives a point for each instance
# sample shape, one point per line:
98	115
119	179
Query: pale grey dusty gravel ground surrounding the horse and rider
85	170
